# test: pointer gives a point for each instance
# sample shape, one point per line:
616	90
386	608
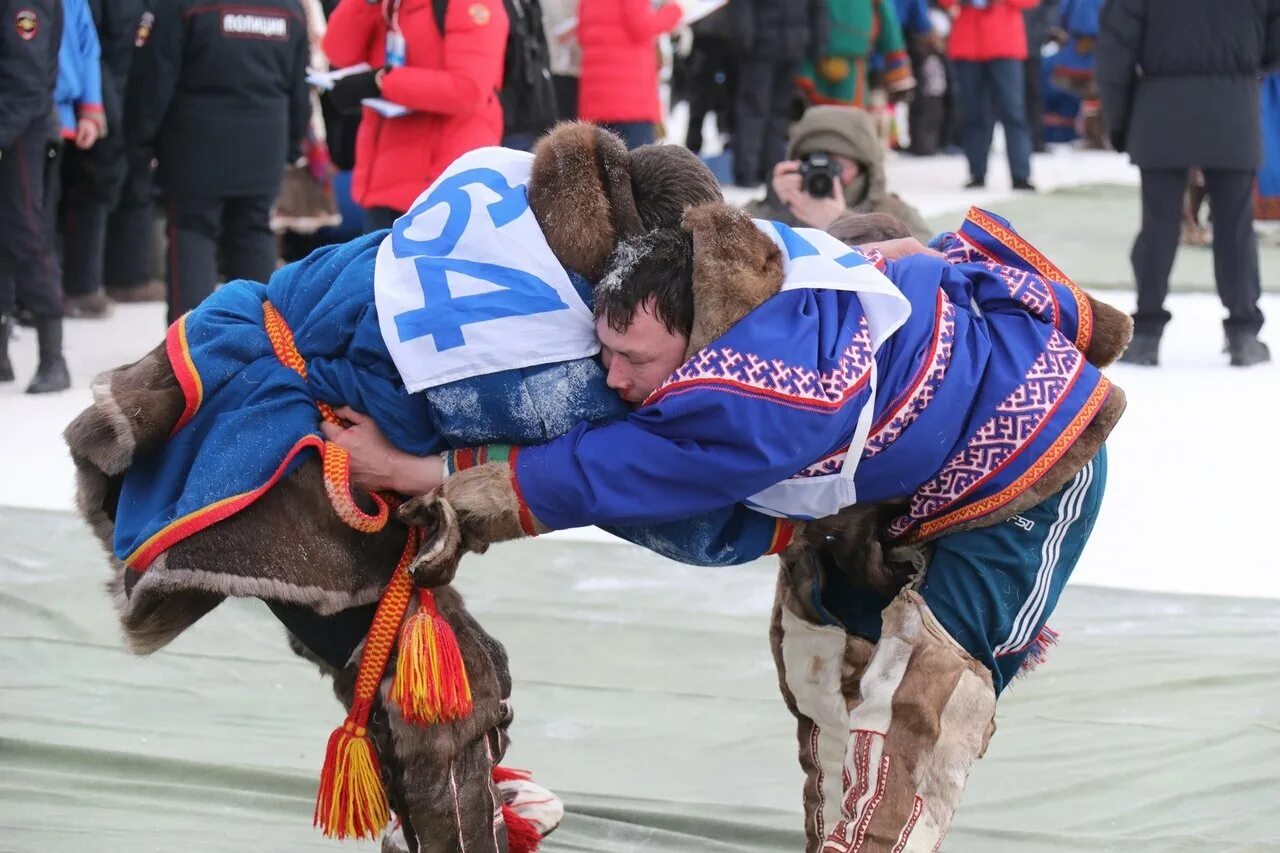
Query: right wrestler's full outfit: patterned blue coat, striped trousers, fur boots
936	427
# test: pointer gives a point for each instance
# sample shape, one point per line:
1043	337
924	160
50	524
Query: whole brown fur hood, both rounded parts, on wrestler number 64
589	194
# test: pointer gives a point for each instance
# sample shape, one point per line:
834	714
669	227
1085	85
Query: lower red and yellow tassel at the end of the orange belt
351	802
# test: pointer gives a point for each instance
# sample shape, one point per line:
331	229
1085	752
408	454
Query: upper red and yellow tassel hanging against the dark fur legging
431	682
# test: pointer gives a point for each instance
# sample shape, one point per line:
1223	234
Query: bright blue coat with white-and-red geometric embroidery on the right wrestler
982	390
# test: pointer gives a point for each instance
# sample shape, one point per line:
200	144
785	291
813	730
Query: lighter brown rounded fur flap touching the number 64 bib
580	193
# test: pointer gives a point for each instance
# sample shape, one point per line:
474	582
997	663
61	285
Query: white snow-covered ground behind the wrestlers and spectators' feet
1195	476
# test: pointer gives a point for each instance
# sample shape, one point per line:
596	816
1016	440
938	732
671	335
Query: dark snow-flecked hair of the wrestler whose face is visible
659	266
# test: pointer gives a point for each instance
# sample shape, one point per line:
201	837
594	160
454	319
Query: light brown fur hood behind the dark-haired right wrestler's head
737	268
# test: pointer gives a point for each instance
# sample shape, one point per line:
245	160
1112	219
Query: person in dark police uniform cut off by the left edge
30	35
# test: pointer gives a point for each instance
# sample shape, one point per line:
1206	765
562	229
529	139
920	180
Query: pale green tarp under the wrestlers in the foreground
646	696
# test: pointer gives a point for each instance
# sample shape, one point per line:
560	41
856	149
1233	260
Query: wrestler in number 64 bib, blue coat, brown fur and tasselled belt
203	472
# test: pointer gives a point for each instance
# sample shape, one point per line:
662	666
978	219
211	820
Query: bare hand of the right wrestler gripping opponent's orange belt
377	466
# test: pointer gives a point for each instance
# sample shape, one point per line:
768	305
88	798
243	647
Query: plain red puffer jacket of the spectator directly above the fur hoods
620	60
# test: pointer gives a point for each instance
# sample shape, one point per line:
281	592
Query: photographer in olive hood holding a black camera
835	166
